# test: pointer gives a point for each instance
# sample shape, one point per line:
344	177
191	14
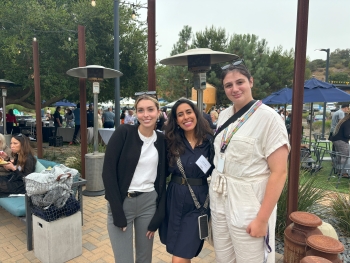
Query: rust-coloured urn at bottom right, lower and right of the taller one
325	247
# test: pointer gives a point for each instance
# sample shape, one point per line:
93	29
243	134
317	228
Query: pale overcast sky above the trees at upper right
274	20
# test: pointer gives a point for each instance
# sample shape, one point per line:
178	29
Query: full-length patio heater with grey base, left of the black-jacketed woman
94	161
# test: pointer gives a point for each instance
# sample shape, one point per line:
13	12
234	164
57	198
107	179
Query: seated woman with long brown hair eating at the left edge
23	163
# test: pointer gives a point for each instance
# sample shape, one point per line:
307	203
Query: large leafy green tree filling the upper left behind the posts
52	22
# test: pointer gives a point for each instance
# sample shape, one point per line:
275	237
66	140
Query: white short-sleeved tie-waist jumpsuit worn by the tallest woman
237	193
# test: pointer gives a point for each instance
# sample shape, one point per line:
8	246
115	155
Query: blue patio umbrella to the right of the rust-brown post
319	91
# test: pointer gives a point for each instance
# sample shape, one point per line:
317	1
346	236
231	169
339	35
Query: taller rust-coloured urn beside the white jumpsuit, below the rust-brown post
304	225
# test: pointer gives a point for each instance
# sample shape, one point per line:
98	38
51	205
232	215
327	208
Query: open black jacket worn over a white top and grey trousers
121	158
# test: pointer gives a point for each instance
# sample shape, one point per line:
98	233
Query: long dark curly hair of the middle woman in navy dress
174	133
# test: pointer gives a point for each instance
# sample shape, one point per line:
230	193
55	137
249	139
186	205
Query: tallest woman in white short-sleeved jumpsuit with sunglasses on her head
249	174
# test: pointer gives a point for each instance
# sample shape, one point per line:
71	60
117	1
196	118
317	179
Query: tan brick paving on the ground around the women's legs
96	245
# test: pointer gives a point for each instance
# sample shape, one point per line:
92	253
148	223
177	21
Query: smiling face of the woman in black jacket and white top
147	113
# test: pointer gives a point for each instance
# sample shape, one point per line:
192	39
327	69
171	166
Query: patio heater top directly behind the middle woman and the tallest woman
198	62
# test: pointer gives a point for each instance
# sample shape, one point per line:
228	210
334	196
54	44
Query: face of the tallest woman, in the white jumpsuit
238	88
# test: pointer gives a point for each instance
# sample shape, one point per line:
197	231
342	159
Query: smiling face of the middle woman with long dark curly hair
186	117
